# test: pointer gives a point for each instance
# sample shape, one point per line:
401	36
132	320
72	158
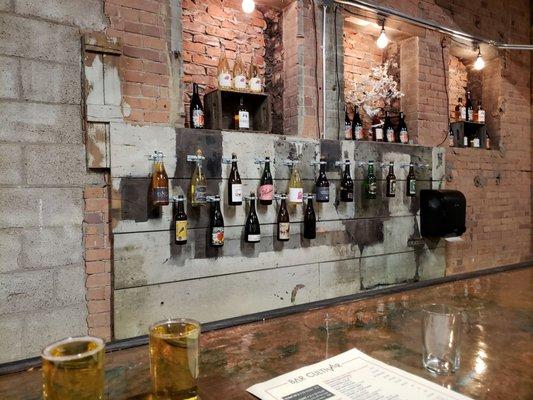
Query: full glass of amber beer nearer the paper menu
174	359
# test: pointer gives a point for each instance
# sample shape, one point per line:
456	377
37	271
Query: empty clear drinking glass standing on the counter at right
441	338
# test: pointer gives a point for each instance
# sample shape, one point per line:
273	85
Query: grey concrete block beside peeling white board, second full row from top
51	82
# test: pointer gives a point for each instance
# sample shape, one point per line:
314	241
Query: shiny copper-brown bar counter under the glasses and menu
496	351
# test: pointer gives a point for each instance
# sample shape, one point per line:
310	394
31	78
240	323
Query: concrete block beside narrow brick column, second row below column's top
49	247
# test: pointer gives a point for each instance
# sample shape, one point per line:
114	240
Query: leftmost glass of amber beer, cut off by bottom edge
73	369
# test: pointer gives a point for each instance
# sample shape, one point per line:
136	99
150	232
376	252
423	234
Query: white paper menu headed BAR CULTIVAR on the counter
352	375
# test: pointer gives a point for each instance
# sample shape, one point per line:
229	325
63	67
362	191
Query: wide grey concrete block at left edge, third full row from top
43	123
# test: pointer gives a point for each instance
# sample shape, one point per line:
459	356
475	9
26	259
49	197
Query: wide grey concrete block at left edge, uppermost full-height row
32	38
